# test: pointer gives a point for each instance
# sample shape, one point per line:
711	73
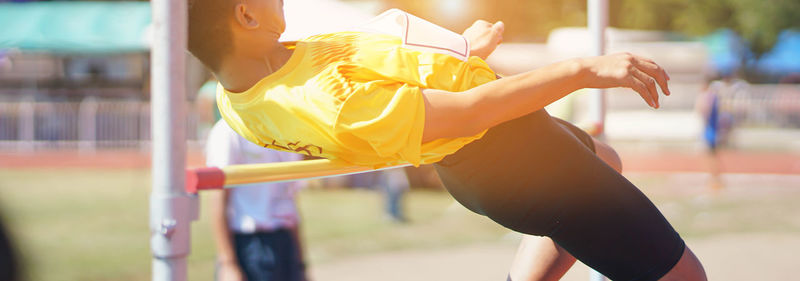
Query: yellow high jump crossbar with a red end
210	178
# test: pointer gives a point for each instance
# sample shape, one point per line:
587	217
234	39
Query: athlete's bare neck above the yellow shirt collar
240	71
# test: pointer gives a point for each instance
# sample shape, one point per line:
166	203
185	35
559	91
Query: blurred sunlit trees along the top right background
758	21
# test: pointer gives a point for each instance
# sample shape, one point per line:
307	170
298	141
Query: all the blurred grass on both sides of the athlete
72	224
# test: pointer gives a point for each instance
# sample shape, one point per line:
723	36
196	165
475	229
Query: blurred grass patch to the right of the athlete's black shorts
741	207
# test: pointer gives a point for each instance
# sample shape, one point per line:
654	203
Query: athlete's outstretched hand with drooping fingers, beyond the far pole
630	71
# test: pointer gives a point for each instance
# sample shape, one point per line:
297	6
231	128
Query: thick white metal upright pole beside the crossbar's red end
171	209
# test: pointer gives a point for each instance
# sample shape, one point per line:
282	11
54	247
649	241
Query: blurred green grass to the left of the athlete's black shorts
72	224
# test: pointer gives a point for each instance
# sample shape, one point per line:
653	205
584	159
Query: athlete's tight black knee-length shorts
539	175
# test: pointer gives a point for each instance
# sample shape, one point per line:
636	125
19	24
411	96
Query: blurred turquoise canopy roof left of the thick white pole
75	27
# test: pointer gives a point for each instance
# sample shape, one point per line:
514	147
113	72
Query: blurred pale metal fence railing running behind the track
102	124
